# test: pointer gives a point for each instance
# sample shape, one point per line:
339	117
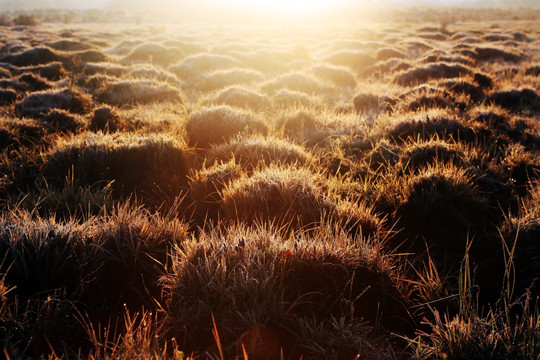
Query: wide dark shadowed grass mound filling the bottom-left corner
62	271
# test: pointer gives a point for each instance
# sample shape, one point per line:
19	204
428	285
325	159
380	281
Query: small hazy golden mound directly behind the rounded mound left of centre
241	97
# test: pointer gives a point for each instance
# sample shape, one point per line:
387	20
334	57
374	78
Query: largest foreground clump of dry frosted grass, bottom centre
272	293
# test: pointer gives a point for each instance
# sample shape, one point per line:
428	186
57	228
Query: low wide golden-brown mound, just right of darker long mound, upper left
138	92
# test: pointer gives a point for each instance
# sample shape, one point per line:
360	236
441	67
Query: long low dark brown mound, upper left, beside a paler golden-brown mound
42	102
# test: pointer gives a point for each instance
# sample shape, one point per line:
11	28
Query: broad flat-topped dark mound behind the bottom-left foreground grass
149	165
